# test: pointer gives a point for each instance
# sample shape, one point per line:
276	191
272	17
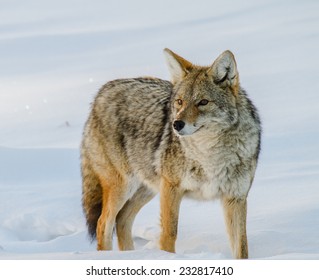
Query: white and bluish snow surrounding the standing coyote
56	55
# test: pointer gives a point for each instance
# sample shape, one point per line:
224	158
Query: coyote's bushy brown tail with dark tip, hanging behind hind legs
91	199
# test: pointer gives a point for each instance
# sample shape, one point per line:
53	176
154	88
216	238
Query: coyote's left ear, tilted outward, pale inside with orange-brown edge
178	66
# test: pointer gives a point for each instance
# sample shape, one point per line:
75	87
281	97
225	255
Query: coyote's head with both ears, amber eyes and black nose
204	98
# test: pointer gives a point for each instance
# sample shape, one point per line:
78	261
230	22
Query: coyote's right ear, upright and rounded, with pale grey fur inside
224	71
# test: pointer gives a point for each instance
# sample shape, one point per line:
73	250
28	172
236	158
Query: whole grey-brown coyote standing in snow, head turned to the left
197	136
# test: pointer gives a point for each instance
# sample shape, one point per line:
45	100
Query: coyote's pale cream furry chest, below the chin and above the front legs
214	172
